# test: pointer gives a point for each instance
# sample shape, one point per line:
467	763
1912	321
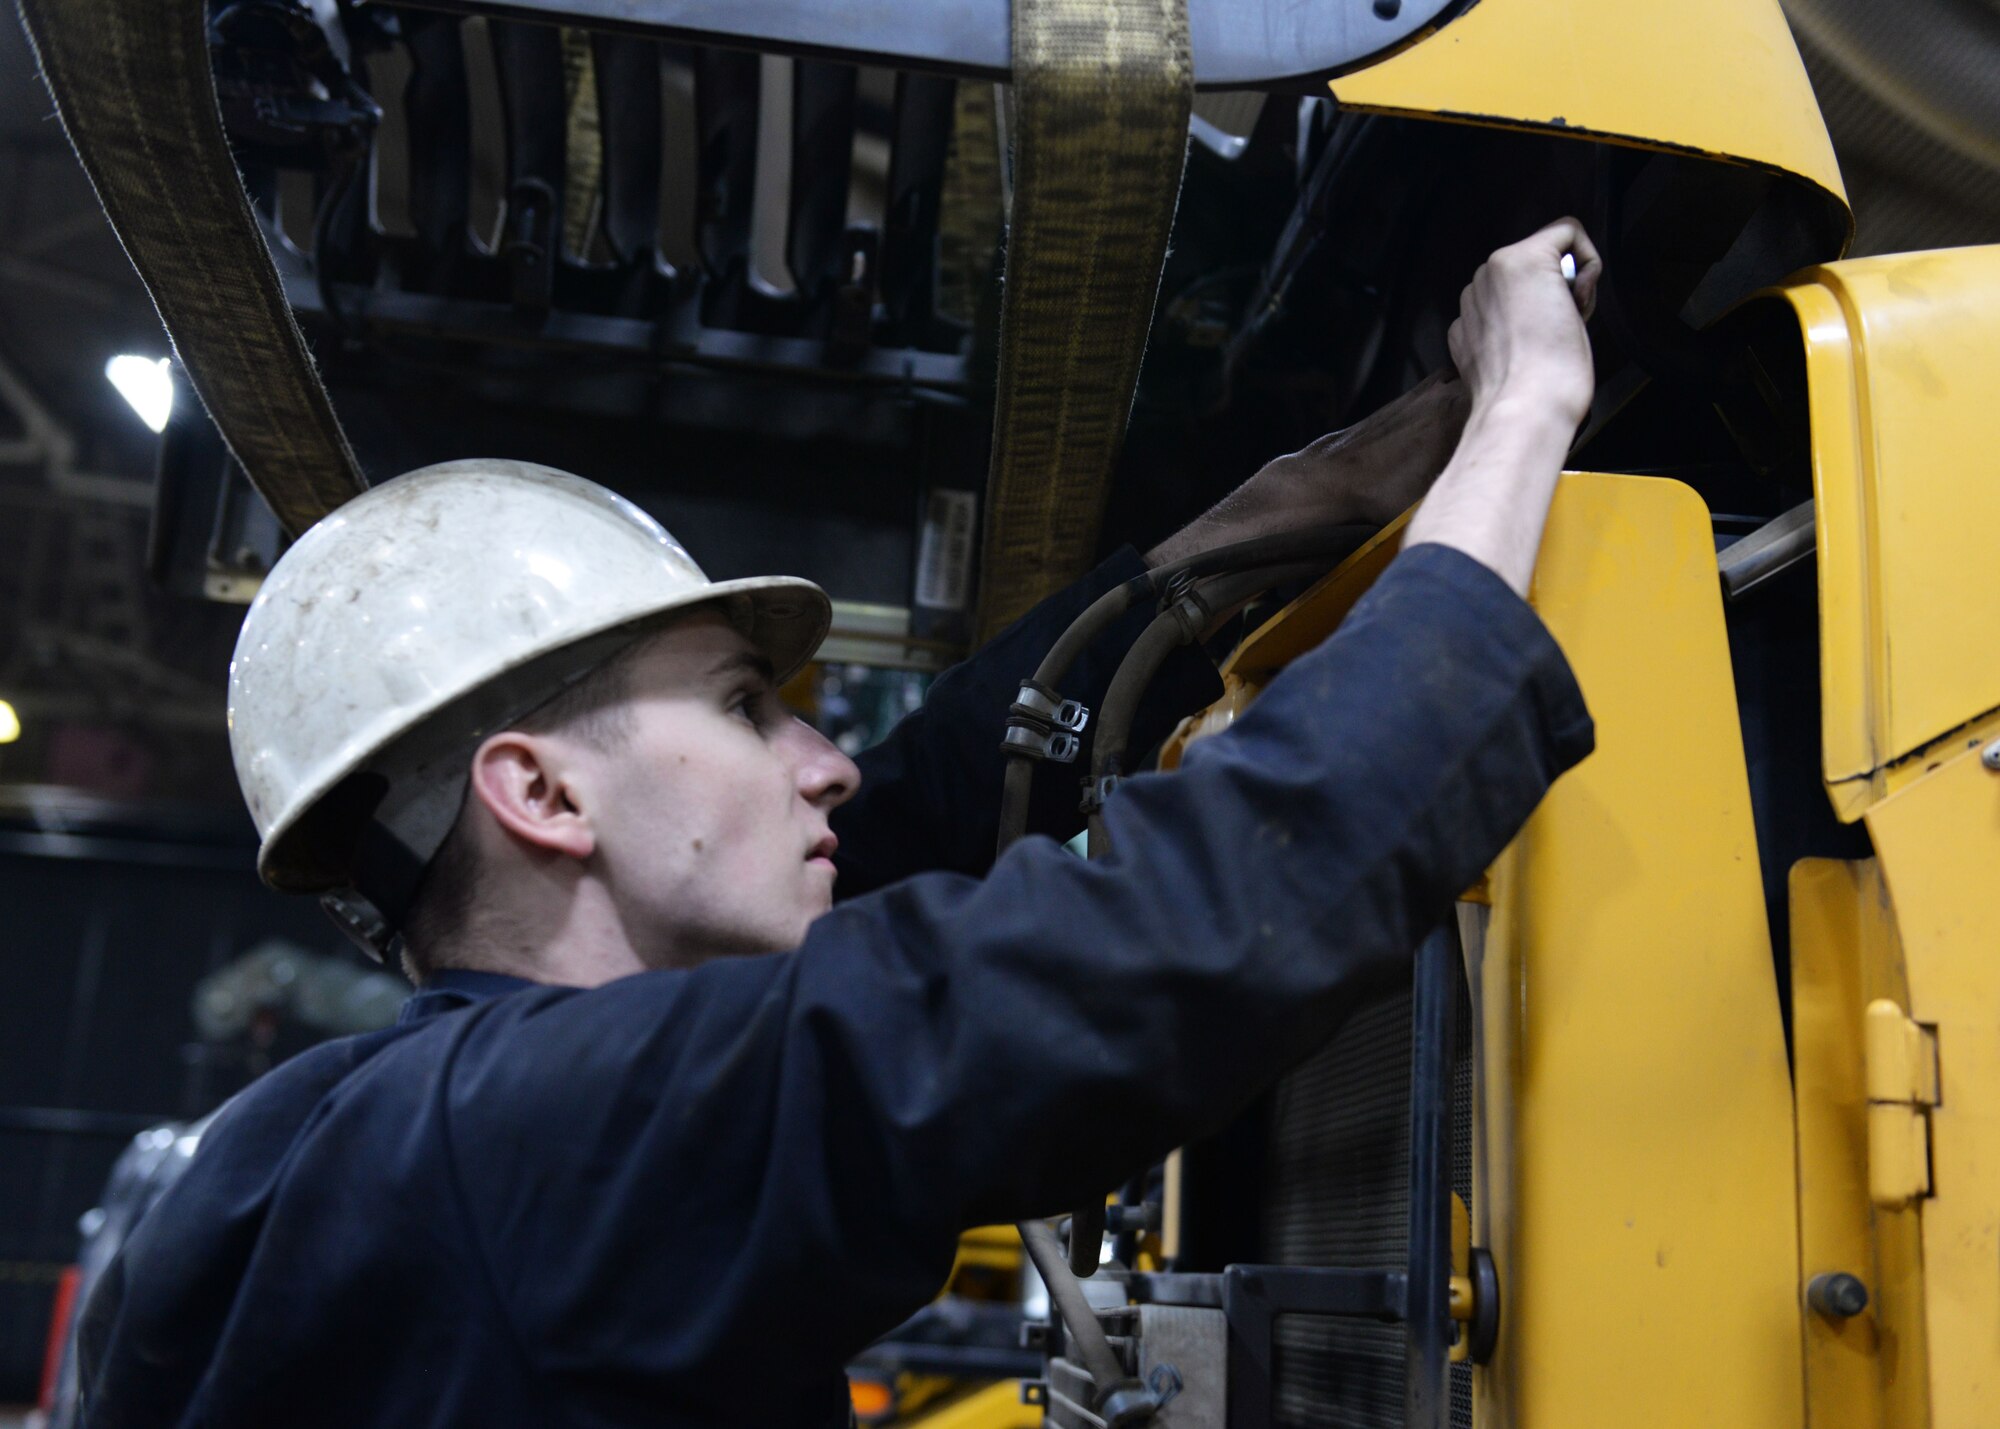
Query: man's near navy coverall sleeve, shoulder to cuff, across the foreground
717	1186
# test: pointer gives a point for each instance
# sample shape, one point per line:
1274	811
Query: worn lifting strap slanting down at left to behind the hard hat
137	97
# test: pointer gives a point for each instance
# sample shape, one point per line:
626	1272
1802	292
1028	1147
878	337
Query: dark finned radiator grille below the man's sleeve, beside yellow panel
1339	1194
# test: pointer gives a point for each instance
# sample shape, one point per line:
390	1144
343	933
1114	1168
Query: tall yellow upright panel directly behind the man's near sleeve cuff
1635	1170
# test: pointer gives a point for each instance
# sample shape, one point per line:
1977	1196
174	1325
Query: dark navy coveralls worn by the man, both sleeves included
689	1198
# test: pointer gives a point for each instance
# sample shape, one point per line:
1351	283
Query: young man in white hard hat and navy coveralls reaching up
667	1136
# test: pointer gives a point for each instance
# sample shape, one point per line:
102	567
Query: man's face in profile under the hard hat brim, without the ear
711	812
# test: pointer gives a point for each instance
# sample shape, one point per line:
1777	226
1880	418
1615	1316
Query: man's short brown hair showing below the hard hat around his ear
589	709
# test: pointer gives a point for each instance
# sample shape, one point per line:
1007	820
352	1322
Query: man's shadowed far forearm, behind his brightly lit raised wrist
1363	475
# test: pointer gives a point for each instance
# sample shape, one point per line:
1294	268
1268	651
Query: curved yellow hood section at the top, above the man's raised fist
1711	77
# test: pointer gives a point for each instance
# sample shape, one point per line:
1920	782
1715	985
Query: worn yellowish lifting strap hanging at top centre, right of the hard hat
1101	135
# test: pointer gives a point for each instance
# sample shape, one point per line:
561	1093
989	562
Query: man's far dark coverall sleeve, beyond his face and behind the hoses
931	792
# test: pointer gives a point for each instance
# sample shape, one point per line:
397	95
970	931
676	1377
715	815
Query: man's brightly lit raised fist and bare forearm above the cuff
1525	359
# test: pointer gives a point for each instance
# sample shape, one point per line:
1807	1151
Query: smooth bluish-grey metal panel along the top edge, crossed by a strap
1237	43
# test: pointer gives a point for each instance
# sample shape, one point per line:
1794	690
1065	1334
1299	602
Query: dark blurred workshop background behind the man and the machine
125	852
